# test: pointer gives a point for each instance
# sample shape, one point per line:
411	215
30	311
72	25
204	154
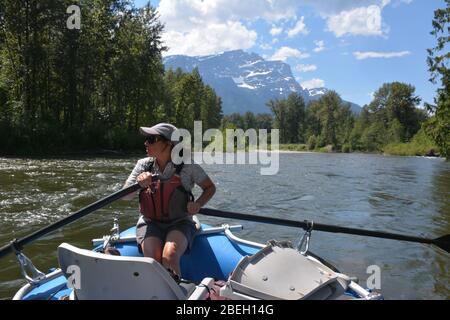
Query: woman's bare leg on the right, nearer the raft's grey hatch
175	246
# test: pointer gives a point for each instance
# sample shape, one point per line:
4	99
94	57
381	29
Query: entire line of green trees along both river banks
90	88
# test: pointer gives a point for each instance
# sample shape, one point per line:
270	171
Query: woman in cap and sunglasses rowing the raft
165	228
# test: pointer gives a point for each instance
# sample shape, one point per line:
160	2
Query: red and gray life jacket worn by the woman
165	200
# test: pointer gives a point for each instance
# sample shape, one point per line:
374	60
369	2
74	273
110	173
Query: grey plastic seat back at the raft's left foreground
97	276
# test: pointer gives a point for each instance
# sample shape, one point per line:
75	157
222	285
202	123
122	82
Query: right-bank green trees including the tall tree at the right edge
391	122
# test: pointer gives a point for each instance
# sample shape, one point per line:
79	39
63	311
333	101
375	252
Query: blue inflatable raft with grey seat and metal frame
216	256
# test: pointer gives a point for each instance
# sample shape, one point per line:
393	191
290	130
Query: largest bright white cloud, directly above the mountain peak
195	27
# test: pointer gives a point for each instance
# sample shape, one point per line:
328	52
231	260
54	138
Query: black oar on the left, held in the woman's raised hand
18	244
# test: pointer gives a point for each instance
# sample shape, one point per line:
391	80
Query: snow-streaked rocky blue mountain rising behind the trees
245	81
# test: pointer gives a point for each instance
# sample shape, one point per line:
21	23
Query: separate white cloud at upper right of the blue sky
365	21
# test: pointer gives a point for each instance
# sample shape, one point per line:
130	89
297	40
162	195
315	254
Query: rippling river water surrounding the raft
408	195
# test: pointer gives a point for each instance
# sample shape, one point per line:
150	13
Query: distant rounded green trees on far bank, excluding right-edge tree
391	117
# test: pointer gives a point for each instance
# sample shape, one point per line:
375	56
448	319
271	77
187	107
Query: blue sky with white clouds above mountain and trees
351	46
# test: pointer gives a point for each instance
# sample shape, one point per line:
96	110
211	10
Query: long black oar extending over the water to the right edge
441	242
